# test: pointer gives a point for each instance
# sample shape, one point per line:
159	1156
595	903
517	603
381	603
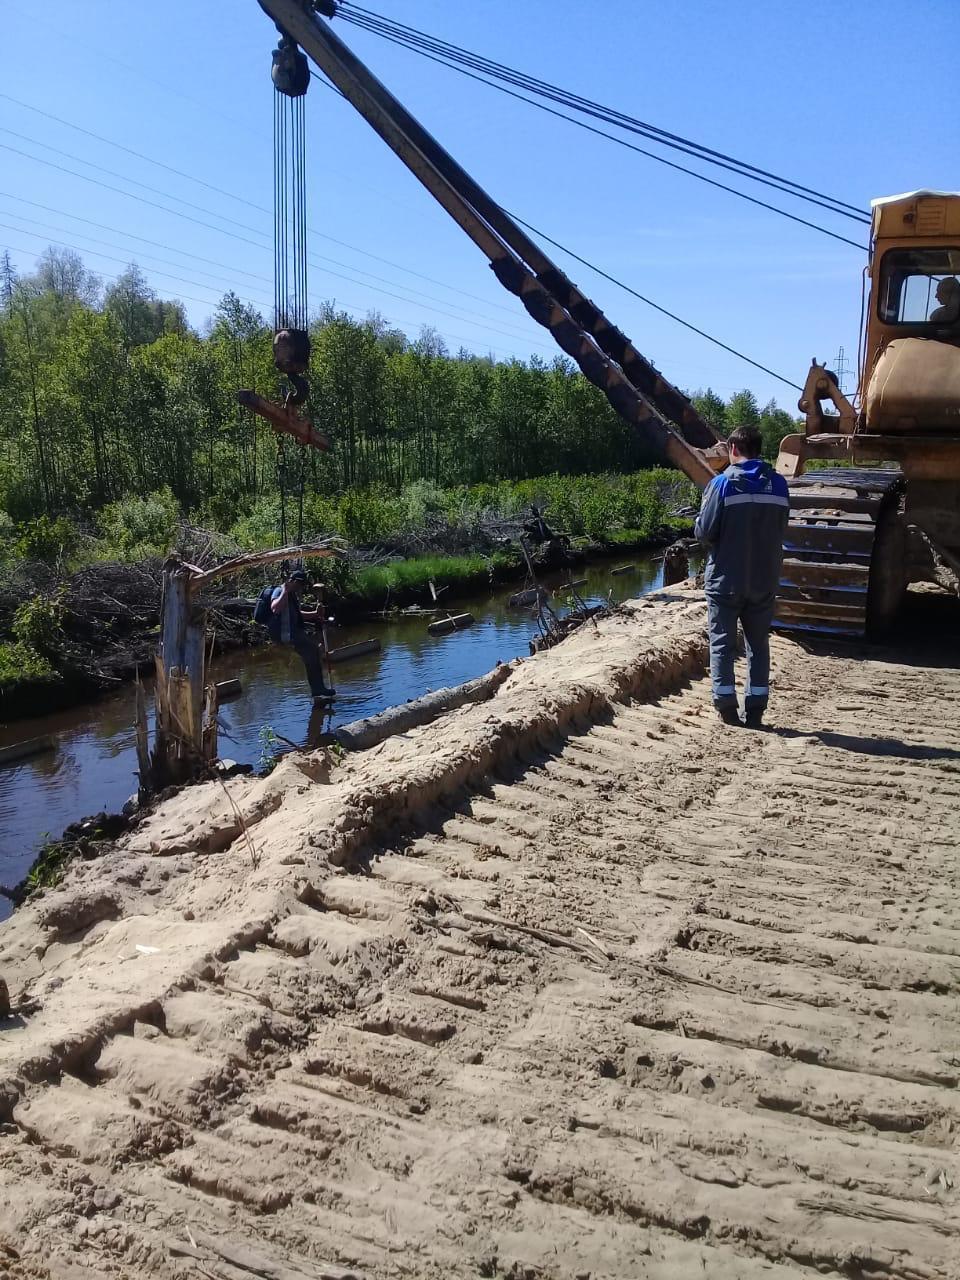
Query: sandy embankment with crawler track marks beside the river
573	984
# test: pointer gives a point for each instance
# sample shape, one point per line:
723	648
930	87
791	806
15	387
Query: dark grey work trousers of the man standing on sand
756	615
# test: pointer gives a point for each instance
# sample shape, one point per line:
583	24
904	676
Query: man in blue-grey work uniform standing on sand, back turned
743	522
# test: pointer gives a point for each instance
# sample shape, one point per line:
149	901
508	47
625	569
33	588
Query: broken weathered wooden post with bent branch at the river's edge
185	742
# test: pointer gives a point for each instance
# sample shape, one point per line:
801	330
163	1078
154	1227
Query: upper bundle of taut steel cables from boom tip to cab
456	57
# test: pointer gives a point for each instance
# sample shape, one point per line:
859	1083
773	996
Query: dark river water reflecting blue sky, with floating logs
94	765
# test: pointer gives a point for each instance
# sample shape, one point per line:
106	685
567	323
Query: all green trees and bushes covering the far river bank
122	438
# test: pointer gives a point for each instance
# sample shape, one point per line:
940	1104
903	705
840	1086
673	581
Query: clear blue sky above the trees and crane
858	99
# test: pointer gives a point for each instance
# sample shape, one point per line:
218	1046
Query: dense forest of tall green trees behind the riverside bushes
108	394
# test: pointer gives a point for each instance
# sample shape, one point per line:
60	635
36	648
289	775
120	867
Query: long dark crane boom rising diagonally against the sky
607	358
